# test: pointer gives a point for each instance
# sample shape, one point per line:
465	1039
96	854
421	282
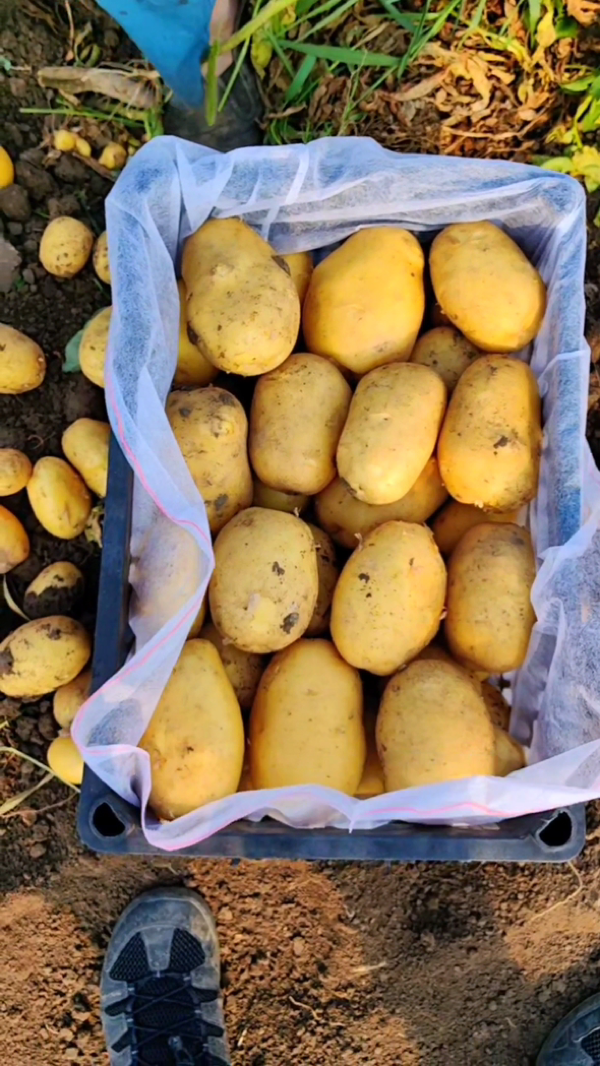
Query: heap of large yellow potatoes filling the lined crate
361	637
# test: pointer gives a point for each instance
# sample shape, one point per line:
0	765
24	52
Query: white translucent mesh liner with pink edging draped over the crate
311	198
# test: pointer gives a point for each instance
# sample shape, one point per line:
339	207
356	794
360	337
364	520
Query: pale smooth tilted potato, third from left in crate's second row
391	431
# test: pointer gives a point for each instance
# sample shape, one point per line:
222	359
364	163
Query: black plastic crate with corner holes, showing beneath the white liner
109	825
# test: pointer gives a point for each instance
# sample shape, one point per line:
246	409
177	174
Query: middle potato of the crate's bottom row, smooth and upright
306	723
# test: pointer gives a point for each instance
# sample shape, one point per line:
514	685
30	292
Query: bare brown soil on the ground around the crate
354	964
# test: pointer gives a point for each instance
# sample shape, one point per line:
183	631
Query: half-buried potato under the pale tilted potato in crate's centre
348	520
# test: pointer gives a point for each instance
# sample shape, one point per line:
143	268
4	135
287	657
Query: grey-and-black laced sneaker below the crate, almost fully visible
160	989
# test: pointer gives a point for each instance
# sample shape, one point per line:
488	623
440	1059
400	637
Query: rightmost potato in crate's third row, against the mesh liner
490	617
